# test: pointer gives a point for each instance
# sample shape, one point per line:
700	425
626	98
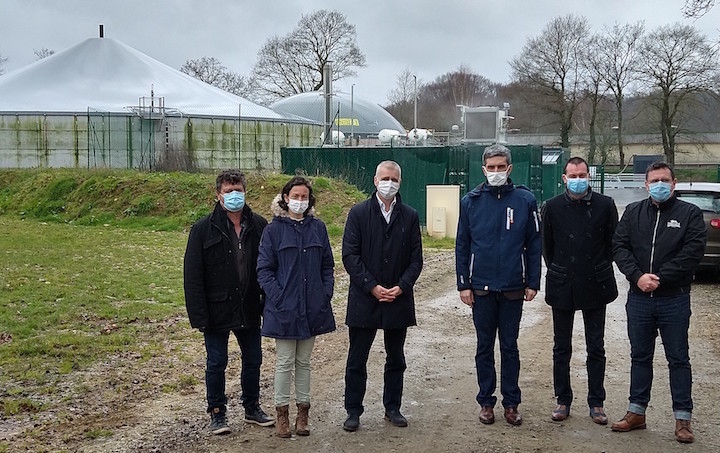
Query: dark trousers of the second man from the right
594	320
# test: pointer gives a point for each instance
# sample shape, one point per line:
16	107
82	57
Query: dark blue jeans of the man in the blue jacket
492	314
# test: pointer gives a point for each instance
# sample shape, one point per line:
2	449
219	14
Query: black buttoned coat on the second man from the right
577	247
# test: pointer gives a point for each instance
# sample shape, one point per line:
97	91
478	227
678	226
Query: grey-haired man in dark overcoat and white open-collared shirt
382	253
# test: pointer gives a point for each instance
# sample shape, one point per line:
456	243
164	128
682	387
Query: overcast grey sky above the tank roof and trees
429	37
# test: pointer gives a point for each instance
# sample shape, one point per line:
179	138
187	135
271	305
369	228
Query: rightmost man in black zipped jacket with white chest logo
658	245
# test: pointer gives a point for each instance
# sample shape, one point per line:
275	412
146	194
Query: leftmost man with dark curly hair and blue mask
222	295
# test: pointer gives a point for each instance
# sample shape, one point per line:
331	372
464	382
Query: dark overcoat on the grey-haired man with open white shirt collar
377	253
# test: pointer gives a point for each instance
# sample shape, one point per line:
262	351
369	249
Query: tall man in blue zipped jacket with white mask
497	259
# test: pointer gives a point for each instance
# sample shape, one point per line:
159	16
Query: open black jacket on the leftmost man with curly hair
214	296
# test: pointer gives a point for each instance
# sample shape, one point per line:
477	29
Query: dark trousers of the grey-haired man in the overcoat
361	341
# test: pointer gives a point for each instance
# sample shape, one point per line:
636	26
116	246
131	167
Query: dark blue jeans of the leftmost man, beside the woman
216	345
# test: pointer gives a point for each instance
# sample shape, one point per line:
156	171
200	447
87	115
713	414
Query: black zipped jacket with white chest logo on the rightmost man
666	240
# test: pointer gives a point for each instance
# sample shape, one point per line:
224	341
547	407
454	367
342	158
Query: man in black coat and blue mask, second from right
578	228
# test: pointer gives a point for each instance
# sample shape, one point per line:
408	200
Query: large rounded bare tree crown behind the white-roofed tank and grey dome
294	63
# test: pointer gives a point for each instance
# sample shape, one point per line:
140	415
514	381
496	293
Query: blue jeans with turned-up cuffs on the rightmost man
671	317
